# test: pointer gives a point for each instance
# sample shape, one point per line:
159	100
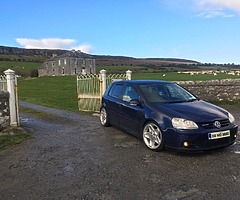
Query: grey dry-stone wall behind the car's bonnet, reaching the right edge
226	89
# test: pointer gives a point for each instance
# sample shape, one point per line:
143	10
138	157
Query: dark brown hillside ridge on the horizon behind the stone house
40	55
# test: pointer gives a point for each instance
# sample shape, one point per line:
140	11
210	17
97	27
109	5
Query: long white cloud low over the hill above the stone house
53	43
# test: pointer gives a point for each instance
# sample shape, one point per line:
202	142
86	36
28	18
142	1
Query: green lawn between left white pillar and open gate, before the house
56	92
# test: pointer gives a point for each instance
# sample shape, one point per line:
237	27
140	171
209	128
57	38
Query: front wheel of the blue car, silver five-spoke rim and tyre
153	137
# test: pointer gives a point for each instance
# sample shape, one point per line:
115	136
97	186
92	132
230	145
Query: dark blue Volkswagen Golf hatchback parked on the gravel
164	114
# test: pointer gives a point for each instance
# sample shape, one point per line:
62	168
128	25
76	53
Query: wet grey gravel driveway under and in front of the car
71	156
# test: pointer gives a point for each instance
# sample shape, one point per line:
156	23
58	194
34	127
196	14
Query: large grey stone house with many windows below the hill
70	63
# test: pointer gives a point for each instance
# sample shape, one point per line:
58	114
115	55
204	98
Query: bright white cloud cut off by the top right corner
224	4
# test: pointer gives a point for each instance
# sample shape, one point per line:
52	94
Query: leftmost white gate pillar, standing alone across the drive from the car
10	75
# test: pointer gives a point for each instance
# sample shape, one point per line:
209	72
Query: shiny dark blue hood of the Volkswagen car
198	111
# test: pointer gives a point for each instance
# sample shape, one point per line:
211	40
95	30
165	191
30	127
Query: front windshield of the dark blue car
166	93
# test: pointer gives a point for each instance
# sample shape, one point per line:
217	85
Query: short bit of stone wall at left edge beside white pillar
4	110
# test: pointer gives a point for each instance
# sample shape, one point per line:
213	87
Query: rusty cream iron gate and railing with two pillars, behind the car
90	88
